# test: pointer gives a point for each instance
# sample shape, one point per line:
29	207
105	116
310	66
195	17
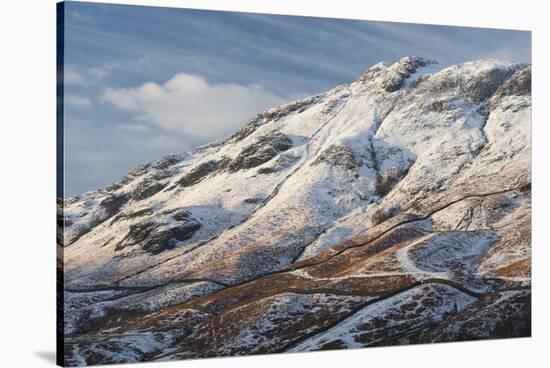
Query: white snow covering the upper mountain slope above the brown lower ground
312	206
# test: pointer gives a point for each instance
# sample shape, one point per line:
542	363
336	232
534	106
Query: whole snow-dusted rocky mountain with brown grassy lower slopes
391	210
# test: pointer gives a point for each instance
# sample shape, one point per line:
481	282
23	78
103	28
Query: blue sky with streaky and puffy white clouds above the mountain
142	82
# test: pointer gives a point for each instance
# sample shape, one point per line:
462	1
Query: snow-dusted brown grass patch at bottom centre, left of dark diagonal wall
266	325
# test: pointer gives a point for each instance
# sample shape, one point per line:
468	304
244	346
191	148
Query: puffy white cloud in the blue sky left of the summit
188	104
